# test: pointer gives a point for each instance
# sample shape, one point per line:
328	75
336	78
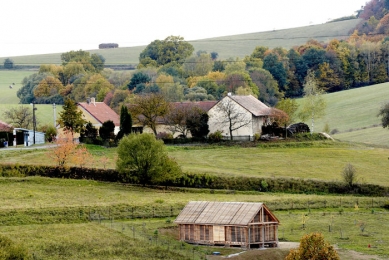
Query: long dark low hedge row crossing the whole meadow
288	185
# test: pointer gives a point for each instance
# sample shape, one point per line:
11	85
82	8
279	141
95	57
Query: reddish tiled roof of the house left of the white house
101	111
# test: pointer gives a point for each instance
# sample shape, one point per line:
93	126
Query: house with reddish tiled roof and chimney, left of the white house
98	112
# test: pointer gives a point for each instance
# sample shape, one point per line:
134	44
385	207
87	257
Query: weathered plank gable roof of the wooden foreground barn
221	213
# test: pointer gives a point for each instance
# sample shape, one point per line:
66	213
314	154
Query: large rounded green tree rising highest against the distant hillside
172	49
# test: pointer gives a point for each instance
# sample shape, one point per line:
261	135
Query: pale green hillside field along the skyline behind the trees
226	47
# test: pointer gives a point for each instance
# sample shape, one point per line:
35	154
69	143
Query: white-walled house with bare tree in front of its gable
238	116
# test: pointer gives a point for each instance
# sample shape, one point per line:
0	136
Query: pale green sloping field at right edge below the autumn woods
353	113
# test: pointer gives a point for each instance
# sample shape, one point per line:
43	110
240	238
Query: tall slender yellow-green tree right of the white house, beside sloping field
313	105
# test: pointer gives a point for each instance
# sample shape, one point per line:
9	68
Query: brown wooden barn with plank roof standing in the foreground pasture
242	224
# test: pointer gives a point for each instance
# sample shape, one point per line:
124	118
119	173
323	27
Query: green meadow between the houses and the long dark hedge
323	160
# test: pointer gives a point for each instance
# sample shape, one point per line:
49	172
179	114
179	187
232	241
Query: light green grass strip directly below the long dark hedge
45	193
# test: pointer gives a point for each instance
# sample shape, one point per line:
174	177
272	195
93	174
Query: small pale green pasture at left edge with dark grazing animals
11	78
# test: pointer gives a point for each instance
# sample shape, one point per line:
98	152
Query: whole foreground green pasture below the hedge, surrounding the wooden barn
37	212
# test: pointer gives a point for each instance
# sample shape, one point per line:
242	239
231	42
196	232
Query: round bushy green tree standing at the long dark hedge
143	158
